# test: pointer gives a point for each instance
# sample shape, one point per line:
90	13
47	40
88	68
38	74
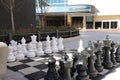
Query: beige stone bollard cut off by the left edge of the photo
3	58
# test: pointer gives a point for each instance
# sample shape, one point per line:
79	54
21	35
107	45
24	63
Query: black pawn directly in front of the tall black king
106	58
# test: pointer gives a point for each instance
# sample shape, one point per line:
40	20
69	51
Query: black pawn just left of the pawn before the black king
98	63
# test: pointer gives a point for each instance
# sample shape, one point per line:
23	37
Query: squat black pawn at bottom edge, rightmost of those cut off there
82	72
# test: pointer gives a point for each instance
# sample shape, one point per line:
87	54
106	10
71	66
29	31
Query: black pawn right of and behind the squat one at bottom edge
91	68
